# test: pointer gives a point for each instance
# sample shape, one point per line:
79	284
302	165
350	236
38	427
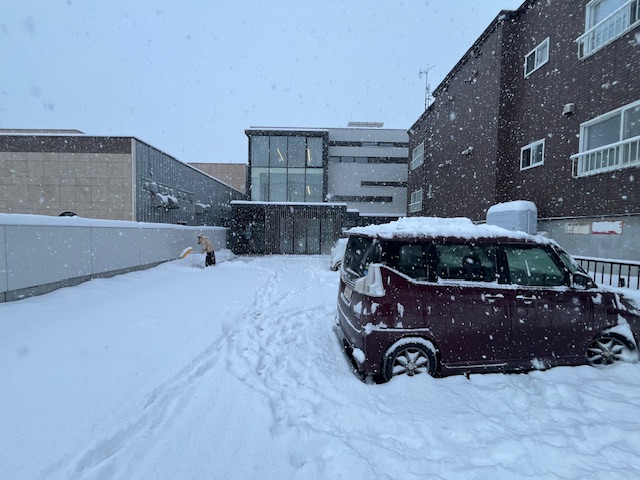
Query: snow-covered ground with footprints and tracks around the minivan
233	372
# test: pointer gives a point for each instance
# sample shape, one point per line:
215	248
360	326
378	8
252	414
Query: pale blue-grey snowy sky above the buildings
189	77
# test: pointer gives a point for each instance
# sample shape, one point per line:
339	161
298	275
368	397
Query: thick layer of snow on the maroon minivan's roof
419	227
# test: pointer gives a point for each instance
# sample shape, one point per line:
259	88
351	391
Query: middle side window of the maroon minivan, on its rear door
468	262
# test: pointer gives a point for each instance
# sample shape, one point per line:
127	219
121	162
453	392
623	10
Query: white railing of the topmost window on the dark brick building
612	27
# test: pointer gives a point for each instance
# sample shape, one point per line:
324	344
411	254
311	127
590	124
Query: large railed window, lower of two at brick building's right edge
609	142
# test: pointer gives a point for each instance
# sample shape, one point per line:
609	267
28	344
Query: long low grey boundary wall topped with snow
39	254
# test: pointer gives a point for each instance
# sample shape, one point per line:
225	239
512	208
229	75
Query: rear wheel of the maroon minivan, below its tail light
413	358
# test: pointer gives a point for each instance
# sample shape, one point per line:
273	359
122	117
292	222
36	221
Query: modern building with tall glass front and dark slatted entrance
328	179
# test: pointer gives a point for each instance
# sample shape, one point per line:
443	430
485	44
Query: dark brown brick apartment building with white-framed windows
545	107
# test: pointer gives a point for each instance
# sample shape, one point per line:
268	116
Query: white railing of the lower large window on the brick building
614	156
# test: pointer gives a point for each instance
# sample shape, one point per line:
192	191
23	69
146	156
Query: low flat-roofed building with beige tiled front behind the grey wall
116	178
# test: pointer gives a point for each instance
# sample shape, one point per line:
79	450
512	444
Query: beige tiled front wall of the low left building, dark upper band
50	174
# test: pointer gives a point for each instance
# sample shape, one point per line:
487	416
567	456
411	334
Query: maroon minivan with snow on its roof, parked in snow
443	296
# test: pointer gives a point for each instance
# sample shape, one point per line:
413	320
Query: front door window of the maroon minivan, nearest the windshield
534	266
